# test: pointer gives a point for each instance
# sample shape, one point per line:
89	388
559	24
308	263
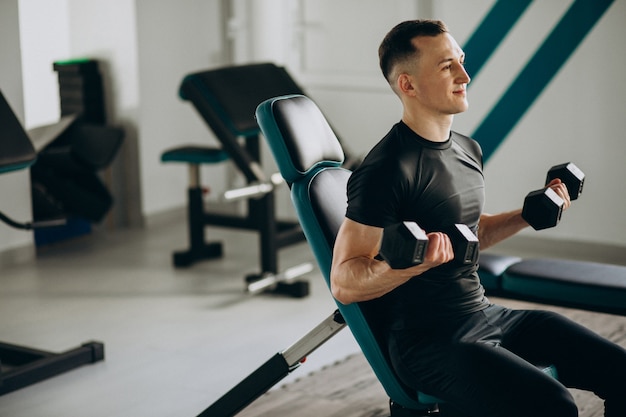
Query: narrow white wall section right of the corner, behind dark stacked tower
106	31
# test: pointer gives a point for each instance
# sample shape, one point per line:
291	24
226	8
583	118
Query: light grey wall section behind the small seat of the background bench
174	38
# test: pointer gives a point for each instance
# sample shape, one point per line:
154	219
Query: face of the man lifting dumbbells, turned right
439	77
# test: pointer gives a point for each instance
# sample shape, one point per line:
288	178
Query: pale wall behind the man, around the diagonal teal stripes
578	117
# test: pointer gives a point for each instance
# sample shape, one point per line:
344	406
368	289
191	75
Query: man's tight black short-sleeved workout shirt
406	177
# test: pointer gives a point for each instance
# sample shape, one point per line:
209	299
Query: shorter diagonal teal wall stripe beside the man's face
491	31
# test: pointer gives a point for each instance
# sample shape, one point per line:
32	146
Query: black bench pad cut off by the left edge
16	149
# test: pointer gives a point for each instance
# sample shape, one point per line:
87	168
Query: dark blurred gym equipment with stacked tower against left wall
66	179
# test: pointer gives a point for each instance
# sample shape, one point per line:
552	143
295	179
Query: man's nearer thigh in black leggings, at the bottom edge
484	379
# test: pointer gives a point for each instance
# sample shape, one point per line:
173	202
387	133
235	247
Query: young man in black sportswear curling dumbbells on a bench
444	336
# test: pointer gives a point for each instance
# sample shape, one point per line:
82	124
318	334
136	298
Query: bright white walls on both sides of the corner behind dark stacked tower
55	30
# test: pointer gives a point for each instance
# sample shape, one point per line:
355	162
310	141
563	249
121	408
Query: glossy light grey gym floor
175	339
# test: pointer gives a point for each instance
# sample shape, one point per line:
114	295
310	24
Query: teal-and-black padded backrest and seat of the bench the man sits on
309	157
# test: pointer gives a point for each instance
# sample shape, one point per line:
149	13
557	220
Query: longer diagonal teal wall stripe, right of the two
538	72
